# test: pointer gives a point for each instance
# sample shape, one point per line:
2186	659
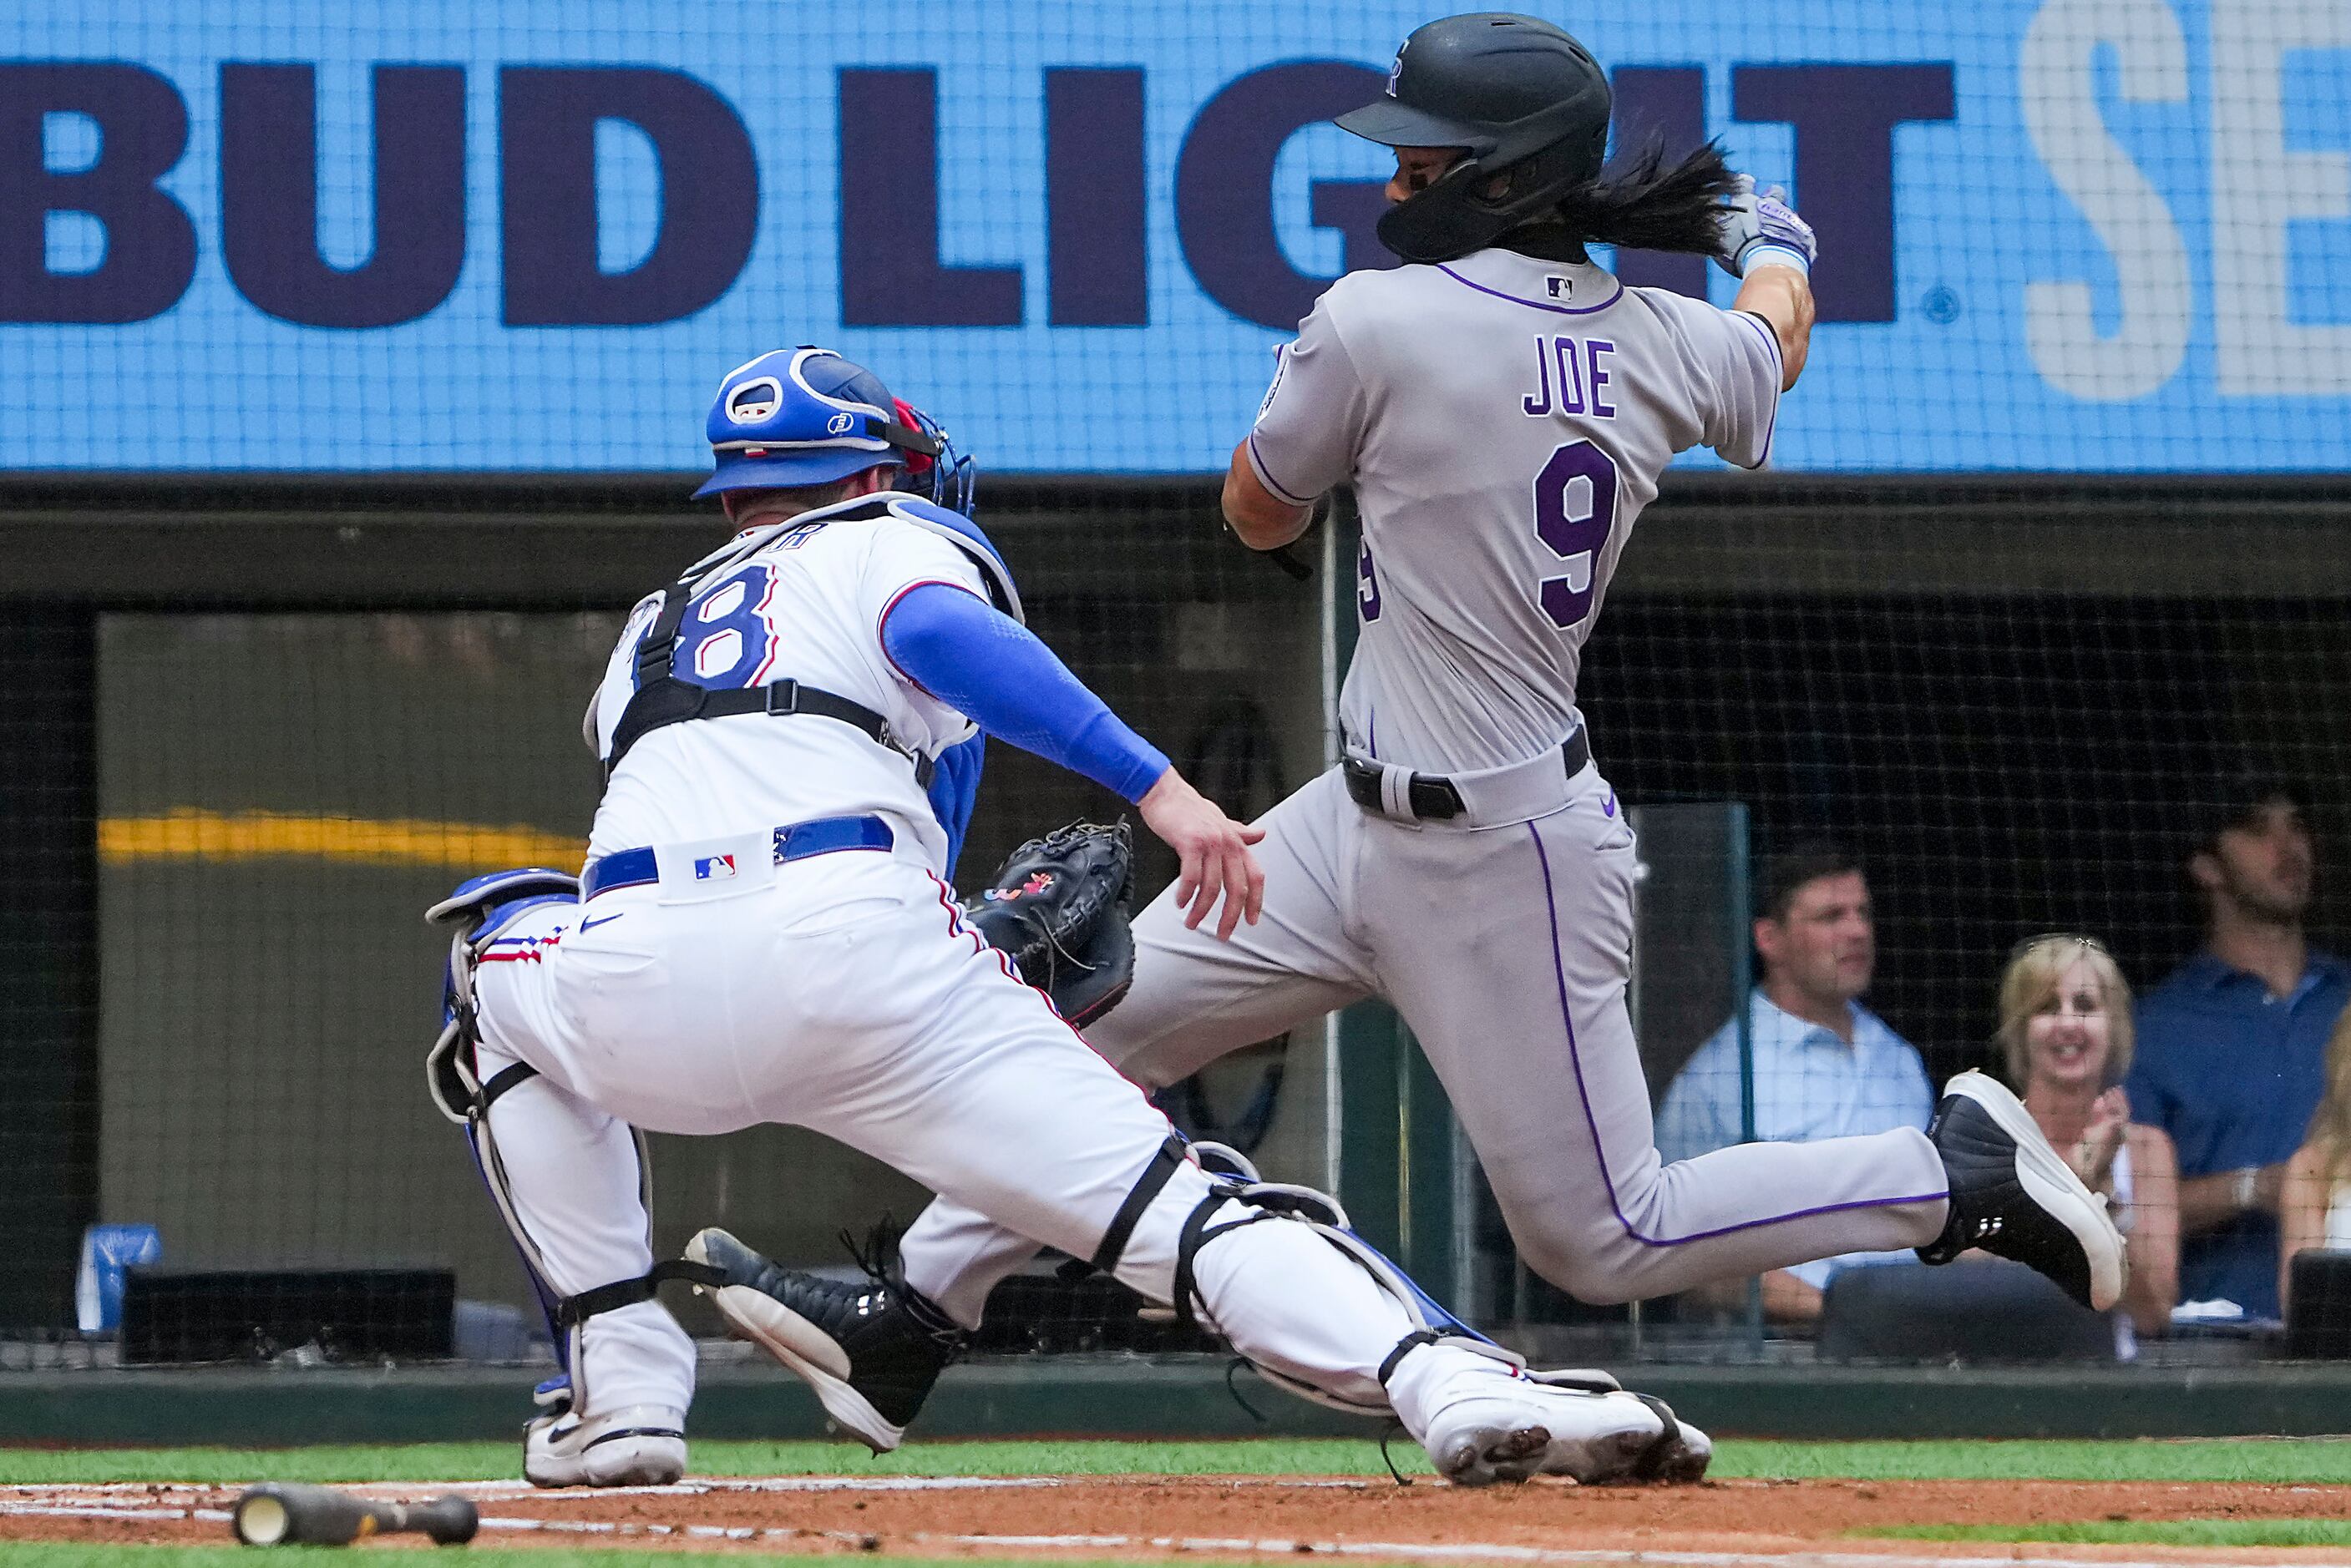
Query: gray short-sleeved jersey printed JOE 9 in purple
1503	422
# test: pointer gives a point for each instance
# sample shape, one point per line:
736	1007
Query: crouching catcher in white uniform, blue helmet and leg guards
765	934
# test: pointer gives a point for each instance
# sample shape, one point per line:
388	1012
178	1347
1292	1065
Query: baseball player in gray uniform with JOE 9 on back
1503	410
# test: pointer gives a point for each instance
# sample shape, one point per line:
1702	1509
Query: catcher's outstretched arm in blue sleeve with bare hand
1003	678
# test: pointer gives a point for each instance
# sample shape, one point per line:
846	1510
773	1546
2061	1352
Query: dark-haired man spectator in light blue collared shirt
1823	1064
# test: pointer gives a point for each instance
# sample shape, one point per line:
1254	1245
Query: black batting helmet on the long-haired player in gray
1520	95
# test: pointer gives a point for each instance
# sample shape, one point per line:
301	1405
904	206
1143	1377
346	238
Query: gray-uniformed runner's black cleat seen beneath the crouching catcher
869	1348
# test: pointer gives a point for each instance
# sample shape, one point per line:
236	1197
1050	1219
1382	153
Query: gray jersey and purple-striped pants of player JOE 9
1503	422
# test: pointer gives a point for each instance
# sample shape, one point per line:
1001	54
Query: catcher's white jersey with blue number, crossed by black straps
805	605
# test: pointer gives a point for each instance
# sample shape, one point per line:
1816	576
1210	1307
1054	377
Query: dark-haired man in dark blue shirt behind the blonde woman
2232	1047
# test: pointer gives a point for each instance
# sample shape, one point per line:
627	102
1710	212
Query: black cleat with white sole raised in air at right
2016	1198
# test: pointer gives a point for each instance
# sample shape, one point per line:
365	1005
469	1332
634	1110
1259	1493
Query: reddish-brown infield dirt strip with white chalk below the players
1158	1517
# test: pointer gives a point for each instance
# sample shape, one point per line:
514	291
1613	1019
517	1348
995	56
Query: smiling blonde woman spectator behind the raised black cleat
2065	1038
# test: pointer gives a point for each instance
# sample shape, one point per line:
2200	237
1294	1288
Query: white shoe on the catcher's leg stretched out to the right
1492	1423
